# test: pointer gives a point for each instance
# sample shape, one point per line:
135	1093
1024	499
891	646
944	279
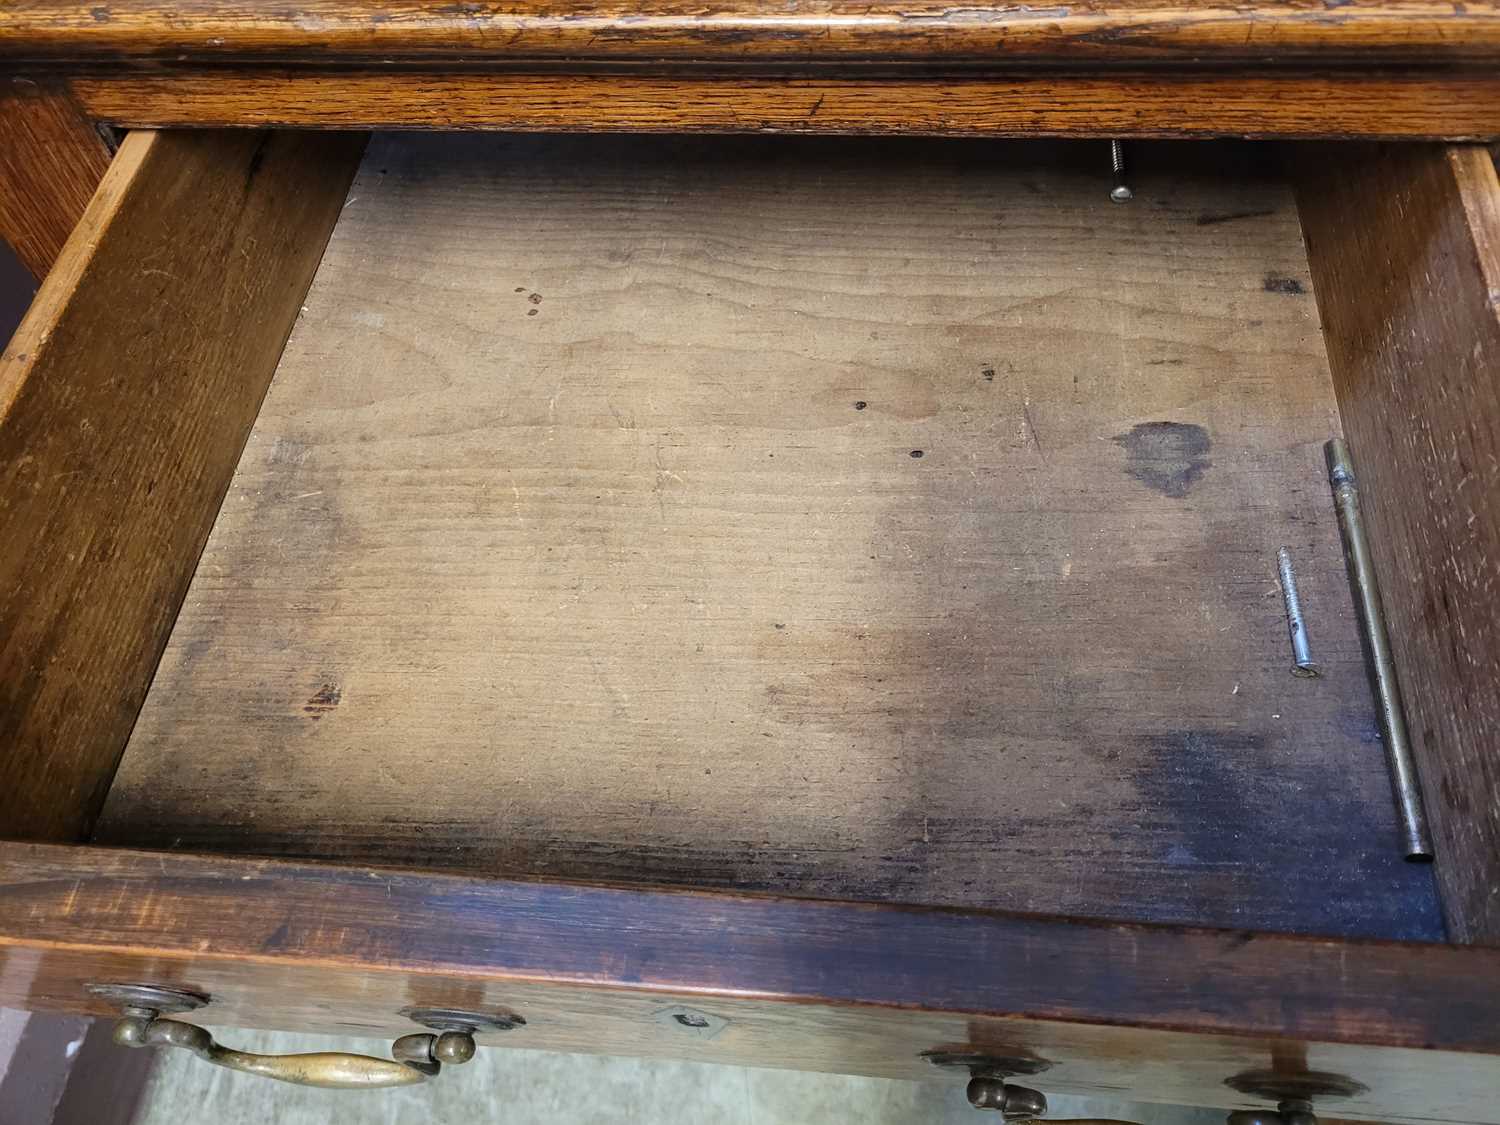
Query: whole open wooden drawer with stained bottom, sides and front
796	602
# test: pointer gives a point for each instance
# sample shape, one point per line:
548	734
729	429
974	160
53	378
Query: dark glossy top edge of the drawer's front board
970	962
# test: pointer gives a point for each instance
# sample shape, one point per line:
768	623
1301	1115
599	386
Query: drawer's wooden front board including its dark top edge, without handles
1165	1015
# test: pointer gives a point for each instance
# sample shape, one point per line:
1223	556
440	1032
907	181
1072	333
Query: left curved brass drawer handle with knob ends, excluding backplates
416	1058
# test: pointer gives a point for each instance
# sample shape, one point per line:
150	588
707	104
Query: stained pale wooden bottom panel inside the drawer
623	509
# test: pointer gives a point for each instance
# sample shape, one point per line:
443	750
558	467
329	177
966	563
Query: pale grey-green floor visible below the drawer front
544	1088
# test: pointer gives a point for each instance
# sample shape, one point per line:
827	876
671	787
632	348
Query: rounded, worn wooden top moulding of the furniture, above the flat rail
205	32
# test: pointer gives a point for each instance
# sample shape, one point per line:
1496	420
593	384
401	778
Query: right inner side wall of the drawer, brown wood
1405	245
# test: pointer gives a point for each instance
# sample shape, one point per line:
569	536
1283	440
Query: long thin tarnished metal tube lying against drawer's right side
1405	784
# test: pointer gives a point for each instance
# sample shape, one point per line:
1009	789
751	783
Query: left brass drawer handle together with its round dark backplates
415	1058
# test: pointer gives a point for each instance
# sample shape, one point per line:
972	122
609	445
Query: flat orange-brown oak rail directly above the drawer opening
1448	104
